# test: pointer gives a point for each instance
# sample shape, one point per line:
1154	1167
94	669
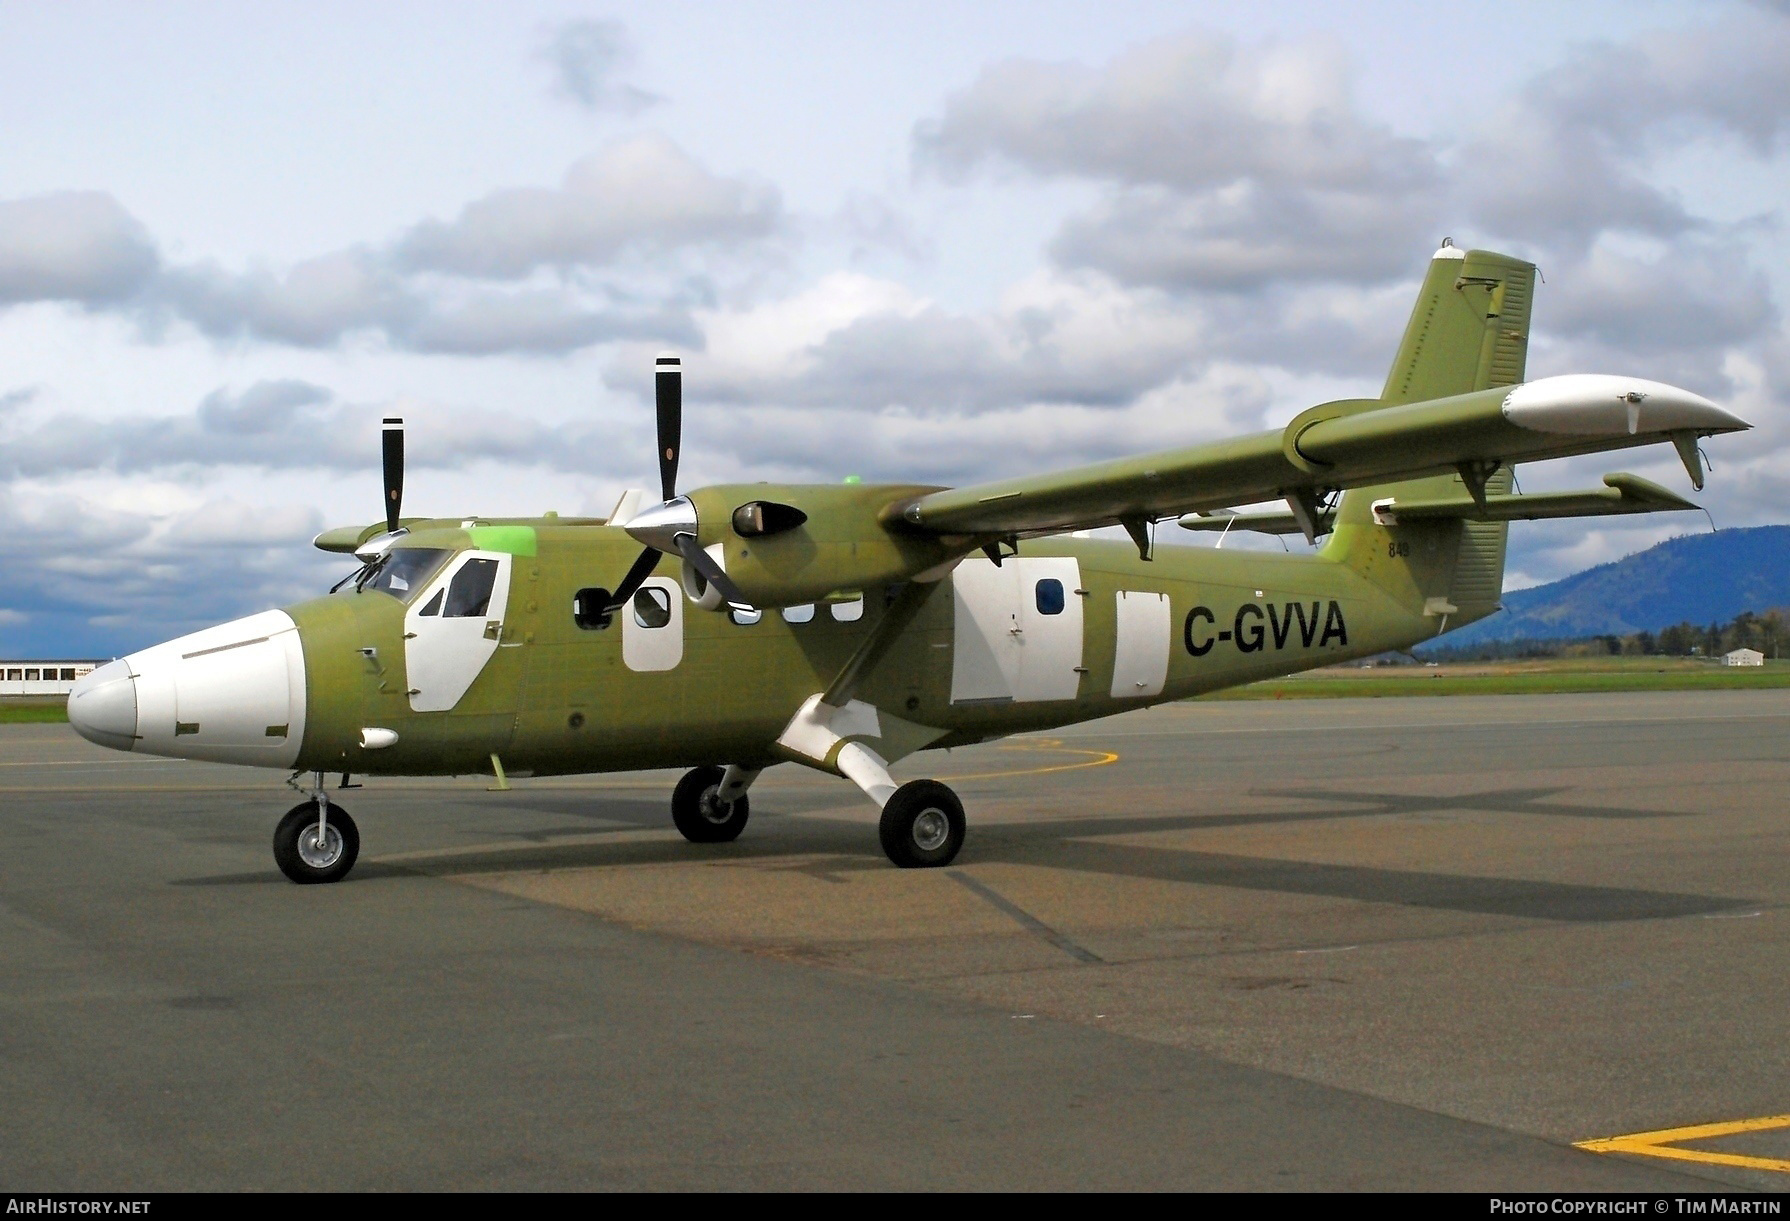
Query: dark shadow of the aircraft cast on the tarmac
1071	844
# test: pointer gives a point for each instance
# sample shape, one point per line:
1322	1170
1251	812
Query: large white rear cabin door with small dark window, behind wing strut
1018	631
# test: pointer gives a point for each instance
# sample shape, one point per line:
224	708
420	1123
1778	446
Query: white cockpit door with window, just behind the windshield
454	628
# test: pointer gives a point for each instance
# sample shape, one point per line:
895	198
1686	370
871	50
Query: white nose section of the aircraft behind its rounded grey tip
234	694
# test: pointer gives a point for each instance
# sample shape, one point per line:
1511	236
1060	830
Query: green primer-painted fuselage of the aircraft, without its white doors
559	699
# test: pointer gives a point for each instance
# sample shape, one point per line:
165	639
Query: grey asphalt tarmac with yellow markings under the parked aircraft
1336	944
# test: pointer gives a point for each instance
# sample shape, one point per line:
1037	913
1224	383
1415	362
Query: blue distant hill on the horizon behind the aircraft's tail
1698	577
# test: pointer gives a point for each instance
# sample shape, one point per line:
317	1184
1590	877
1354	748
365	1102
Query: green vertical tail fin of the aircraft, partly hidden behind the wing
1469	332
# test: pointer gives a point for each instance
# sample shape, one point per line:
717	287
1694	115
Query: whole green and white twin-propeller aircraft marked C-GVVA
846	628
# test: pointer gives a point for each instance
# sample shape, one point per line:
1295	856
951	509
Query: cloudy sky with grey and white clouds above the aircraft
899	241
